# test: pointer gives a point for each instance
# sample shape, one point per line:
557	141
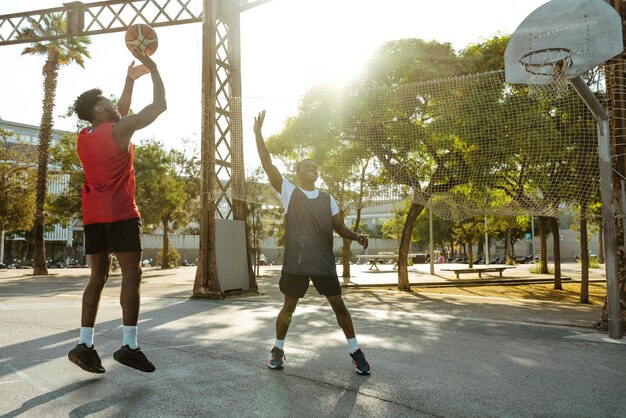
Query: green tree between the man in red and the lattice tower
167	189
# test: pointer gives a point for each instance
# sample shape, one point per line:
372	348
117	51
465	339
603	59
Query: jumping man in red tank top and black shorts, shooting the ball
111	218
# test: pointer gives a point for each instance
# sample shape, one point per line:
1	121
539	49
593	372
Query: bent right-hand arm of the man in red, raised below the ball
126	127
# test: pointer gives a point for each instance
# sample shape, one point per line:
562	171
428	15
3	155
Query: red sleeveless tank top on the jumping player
109	189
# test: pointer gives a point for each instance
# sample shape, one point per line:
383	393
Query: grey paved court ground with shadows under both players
432	355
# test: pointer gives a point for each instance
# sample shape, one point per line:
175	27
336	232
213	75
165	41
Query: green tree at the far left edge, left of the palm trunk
17	196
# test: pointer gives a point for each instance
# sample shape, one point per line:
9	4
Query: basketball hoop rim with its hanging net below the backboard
547	64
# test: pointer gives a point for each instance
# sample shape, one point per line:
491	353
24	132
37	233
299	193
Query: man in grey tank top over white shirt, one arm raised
311	216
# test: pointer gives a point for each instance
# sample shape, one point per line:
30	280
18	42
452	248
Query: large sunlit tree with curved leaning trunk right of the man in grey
391	120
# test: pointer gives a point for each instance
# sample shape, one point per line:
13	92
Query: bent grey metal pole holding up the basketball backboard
608	210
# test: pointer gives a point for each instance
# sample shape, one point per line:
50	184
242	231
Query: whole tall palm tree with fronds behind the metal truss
58	52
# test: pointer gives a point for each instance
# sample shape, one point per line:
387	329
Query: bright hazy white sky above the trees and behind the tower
287	46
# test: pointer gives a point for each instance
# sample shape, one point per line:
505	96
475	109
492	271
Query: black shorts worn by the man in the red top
113	237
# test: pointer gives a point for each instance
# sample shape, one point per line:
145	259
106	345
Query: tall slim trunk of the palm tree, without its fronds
50	70
